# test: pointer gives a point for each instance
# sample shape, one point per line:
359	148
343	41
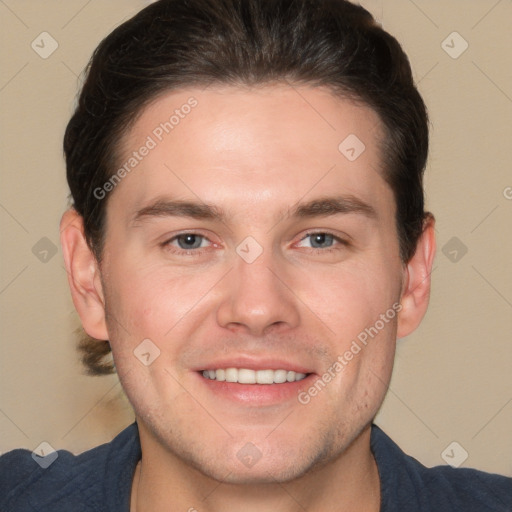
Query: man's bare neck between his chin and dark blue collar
350	482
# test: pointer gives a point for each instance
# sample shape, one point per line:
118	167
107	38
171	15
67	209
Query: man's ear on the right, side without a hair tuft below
416	285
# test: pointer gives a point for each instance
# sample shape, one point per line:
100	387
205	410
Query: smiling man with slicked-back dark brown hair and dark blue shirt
248	238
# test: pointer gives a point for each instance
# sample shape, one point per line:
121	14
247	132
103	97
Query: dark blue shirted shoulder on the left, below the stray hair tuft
63	481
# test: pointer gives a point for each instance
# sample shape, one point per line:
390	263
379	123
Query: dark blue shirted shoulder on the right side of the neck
406	482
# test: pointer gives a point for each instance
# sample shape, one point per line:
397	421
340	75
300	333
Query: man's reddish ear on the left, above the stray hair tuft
83	275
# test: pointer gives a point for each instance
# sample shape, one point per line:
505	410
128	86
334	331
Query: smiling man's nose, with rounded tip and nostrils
257	299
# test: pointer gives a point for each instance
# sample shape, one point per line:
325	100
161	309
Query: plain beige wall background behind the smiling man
453	378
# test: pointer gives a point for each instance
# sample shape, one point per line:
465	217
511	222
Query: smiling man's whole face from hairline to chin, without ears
248	246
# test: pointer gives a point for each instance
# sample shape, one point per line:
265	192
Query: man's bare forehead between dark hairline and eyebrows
258	147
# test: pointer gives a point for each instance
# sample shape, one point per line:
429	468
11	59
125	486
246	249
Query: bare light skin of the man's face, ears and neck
255	154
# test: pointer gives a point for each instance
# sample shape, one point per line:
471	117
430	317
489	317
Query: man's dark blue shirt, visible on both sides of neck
100	480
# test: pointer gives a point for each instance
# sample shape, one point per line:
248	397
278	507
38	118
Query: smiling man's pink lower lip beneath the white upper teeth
257	394
